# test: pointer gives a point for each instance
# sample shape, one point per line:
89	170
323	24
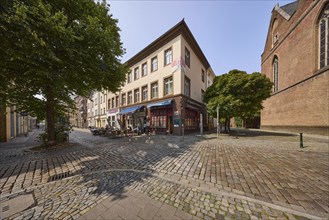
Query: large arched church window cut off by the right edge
324	38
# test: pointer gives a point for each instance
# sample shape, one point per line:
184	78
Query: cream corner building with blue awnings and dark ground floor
164	88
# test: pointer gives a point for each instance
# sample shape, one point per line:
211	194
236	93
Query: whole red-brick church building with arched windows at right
296	59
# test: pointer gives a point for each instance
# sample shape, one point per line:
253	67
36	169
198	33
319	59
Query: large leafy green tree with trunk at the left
57	49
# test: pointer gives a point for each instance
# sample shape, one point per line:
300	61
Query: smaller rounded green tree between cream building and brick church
237	94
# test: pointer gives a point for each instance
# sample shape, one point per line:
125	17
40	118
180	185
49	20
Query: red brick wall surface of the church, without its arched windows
306	104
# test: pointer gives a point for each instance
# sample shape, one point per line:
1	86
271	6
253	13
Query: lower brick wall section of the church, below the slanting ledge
305	105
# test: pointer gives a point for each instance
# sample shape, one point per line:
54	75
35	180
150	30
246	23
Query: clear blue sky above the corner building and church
231	34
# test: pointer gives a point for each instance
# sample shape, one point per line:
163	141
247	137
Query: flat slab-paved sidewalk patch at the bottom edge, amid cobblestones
134	205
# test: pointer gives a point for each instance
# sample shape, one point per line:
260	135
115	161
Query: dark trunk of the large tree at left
50	115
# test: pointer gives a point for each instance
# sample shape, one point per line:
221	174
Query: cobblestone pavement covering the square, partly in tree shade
251	174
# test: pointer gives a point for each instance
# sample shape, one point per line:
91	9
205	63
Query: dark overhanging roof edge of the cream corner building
179	29
